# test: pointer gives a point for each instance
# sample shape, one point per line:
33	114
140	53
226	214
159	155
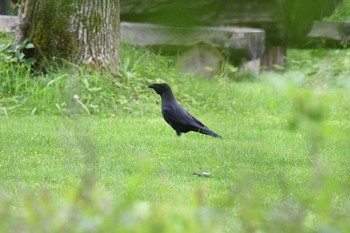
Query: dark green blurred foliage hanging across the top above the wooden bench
287	22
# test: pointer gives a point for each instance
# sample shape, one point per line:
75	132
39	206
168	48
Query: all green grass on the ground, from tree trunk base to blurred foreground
118	167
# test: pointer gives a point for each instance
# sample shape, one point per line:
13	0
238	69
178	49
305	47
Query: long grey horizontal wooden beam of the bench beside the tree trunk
250	39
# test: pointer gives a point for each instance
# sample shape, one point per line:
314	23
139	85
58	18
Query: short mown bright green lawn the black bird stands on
278	168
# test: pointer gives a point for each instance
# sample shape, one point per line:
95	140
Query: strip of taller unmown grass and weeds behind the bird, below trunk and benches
55	91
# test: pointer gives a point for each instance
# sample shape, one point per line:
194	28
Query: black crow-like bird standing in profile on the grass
176	116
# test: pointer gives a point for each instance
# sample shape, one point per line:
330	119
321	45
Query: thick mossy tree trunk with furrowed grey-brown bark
81	31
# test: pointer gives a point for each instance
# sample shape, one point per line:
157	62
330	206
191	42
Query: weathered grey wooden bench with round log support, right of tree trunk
201	47
